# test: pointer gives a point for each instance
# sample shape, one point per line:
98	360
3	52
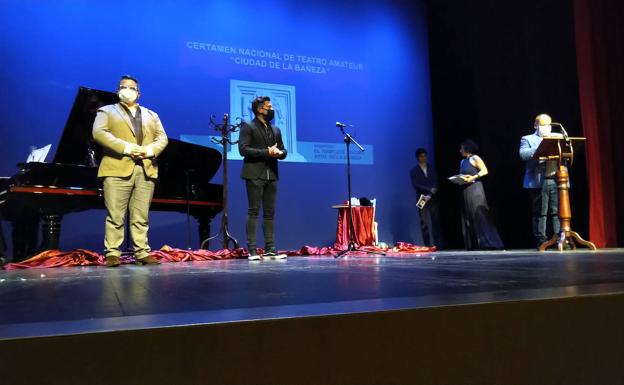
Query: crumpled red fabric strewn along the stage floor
81	257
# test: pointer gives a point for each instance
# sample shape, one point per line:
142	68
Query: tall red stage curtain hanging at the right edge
600	61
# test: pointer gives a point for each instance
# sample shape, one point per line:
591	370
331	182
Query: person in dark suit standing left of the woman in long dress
425	182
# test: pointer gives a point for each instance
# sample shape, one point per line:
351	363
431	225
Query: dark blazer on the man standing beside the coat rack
253	144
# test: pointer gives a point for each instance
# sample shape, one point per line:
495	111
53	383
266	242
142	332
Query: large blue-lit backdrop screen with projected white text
362	63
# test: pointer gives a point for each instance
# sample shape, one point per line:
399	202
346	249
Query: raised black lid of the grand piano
177	161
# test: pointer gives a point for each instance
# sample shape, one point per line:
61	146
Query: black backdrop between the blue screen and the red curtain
495	65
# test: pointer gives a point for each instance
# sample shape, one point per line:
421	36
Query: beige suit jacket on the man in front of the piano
112	129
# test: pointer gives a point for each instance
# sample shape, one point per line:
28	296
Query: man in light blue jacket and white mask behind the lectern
539	180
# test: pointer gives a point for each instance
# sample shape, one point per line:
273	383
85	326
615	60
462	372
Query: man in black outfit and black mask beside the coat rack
261	145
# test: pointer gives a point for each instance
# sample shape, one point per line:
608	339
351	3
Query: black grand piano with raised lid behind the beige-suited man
42	193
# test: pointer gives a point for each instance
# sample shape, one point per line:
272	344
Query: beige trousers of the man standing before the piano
131	194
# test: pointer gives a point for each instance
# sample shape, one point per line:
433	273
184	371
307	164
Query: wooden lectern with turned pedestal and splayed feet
561	149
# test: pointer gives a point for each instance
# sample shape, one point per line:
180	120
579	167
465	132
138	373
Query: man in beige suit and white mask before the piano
131	137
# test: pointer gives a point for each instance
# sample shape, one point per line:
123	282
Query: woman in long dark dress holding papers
478	226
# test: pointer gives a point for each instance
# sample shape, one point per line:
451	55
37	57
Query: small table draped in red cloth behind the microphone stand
363	226
